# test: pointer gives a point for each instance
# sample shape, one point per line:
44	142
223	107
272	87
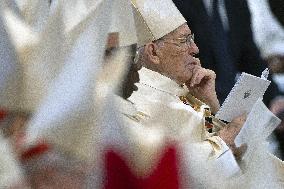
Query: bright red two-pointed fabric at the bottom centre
119	175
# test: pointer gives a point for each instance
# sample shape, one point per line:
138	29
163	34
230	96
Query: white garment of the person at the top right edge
268	32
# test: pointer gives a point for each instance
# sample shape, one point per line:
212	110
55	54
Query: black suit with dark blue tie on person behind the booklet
223	34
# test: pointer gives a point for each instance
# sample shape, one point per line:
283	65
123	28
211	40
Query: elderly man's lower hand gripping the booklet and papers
229	133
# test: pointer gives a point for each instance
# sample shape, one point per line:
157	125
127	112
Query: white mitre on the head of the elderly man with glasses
155	19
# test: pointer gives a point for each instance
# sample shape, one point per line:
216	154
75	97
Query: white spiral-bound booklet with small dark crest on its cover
247	90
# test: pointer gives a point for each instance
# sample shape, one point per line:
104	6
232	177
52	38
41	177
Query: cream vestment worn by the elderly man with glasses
202	153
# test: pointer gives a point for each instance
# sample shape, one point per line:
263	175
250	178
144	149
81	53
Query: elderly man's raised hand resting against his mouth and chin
202	86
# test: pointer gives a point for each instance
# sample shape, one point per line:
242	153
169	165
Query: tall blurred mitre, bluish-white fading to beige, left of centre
67	118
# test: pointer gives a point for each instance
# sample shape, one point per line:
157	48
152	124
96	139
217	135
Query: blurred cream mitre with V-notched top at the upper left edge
37	62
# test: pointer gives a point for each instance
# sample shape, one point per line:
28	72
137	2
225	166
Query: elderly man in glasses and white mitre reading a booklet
168	99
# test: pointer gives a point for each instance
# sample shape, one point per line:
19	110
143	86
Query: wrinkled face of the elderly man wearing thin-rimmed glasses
176	56
